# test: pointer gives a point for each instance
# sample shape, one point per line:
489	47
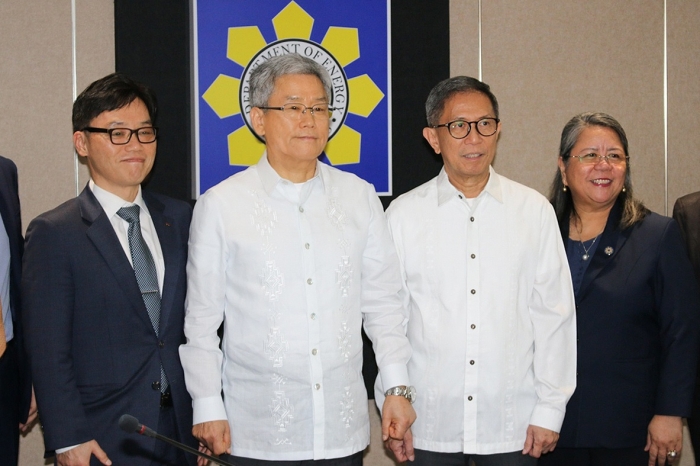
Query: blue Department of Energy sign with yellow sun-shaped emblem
359	138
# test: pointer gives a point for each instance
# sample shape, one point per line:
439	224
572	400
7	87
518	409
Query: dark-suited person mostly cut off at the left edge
15	386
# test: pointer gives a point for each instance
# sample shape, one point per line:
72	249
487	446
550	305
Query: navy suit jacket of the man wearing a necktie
94	353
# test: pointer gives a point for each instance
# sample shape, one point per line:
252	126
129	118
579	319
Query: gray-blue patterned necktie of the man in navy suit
145	270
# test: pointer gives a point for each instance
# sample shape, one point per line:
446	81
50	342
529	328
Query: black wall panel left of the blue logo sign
152	42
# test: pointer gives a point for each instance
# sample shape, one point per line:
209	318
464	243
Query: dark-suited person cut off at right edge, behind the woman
686	212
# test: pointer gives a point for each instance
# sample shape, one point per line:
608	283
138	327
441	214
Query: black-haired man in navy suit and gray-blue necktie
103	289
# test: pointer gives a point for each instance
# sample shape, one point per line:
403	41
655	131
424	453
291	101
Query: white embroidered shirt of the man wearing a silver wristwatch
292	272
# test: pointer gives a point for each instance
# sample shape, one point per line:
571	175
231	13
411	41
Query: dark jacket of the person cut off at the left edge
12	222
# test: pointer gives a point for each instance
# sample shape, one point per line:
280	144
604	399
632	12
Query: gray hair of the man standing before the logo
262	78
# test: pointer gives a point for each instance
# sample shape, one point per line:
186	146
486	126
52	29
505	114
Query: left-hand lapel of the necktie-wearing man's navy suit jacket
101	232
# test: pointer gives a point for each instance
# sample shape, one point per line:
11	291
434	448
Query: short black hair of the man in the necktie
112	92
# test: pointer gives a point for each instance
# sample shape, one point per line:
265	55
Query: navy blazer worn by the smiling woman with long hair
638	323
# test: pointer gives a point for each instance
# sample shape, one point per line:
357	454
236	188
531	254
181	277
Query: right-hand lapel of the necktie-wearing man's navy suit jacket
169	246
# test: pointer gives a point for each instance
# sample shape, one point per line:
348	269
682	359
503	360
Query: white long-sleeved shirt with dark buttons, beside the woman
491	314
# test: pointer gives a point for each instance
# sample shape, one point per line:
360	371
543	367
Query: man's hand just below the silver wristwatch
397	417
